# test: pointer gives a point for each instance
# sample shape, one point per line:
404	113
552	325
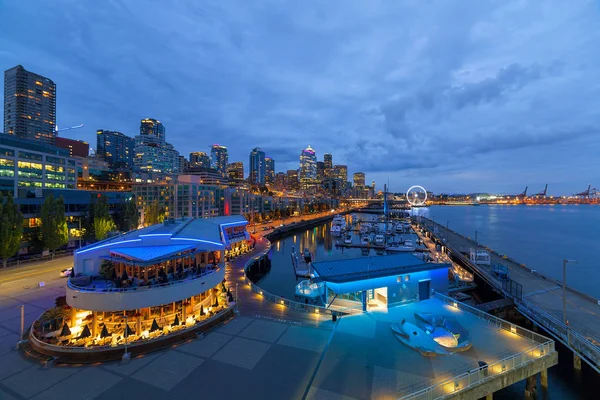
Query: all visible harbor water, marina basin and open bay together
538	236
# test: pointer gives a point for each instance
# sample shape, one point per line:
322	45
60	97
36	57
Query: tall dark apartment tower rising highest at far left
29	105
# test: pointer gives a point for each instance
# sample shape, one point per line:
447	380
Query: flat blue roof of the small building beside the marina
354	269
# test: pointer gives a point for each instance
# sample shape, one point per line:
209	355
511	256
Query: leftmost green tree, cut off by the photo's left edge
11	228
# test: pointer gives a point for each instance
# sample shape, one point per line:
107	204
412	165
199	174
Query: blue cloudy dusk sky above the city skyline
457	96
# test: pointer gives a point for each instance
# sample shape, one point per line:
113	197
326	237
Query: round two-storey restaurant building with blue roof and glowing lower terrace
141	288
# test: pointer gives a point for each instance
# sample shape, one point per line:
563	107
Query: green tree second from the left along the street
54	232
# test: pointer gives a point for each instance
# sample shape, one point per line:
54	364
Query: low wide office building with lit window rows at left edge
27	167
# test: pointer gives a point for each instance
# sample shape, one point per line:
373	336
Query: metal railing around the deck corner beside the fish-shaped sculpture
477	376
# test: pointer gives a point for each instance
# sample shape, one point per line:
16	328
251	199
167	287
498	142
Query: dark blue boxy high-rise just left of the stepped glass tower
115	148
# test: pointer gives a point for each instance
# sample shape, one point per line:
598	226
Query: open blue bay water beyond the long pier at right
538	236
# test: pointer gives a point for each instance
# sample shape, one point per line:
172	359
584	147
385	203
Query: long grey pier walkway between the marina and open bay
538	297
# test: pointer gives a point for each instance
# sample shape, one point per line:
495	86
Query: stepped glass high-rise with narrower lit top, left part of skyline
152	154
